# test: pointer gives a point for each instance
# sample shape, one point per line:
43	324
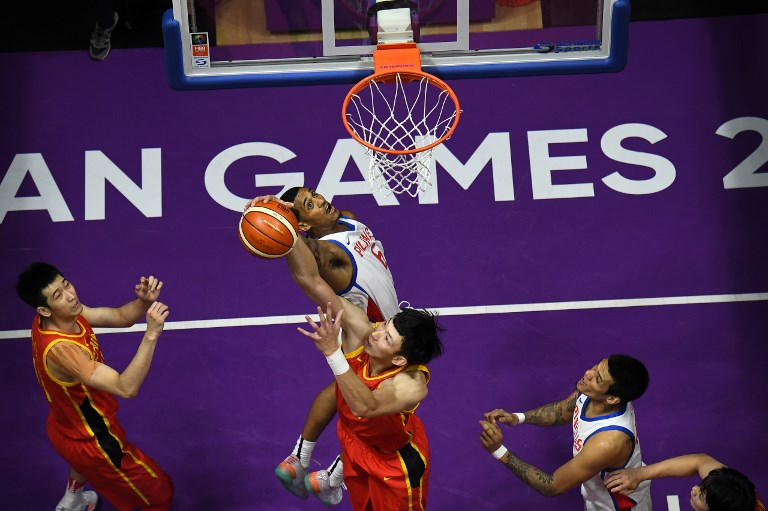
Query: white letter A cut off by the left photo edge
50	198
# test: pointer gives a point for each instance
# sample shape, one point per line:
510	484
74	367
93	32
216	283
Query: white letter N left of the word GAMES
147	198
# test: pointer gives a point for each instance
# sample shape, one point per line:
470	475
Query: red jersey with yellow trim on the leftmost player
75	410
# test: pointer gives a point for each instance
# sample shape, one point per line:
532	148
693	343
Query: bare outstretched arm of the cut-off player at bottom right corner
625	481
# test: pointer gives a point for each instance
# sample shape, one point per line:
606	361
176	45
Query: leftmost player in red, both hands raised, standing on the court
80	389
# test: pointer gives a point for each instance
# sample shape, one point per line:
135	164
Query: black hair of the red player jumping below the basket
419	329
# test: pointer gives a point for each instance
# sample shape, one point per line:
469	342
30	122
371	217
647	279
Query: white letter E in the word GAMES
542	164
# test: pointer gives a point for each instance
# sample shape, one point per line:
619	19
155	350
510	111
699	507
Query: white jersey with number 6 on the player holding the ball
372	287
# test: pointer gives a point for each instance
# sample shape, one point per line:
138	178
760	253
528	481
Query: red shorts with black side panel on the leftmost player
118	470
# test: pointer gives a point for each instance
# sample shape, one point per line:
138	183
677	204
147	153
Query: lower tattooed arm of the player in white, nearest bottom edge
604	450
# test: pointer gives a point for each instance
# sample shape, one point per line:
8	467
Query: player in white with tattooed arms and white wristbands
604	435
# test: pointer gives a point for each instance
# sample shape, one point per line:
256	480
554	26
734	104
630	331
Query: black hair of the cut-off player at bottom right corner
726	489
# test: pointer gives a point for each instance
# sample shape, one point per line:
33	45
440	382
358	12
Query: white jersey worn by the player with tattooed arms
596	496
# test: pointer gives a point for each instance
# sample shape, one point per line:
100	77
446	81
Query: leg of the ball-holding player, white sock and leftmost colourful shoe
291	470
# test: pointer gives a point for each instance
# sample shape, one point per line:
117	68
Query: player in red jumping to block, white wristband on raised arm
380	379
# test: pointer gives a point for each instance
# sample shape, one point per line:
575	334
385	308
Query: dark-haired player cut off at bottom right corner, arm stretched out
721	488
